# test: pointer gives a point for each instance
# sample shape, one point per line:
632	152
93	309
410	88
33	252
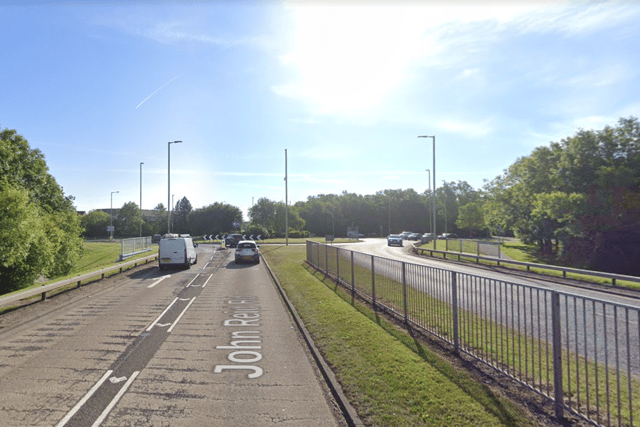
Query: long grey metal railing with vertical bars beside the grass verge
580	352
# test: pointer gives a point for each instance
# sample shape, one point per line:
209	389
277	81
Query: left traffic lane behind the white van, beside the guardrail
50	362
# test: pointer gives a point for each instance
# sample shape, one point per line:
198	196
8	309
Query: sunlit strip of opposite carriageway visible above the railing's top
378	247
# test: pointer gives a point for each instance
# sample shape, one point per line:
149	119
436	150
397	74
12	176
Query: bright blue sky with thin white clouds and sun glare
346	88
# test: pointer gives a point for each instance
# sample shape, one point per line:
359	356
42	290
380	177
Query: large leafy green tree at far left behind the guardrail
39	227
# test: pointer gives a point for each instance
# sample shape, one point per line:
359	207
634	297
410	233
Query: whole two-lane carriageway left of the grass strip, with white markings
209	346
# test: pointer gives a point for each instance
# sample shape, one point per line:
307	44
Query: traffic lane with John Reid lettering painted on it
235	359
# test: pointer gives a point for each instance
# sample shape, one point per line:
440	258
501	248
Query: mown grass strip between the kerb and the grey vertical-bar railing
390	378
